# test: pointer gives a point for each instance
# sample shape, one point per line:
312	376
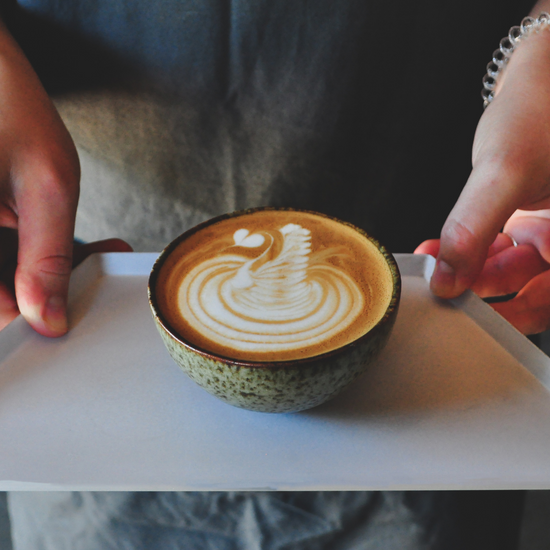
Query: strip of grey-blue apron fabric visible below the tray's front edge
391	520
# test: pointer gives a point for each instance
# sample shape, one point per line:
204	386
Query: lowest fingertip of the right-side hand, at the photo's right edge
529	311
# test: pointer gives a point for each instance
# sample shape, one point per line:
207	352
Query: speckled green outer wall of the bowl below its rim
279	387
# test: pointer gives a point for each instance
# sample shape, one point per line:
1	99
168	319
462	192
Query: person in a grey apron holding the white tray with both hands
272	129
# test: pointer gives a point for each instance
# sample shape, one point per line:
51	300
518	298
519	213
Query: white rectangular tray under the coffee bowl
458	400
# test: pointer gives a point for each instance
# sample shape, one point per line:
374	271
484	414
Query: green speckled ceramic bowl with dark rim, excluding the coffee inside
286	386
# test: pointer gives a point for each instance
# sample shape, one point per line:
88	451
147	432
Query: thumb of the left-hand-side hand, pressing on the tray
46	223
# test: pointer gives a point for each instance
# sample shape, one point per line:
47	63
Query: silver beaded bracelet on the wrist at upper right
508	44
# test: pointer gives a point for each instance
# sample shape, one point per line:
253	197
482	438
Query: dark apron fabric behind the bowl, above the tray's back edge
183	109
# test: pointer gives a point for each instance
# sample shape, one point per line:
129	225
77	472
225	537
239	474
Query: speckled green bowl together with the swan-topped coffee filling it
275	310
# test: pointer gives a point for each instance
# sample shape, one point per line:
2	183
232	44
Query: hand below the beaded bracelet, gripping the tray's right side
509	187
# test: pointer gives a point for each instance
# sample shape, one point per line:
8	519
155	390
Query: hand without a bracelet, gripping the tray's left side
39	188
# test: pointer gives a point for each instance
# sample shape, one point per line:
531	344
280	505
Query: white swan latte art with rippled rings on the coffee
283	298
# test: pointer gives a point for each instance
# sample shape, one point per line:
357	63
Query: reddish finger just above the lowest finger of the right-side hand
509	271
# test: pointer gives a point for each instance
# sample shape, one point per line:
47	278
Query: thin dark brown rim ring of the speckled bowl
388	317
